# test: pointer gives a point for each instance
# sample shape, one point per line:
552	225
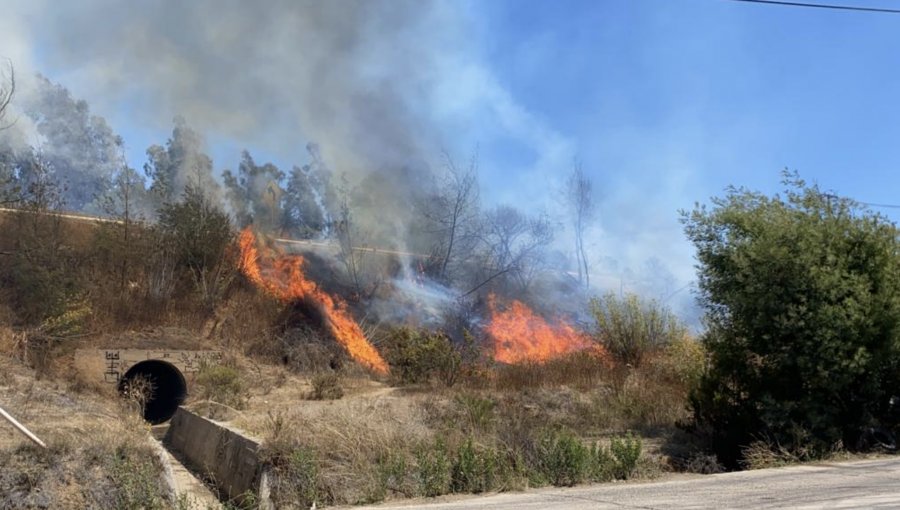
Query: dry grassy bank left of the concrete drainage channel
98	455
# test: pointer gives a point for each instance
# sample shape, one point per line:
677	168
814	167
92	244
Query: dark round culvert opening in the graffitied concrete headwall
166	388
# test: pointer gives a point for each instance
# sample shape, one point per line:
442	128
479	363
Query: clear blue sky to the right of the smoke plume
742	90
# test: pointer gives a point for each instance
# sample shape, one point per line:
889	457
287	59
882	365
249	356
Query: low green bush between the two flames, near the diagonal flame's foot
420	355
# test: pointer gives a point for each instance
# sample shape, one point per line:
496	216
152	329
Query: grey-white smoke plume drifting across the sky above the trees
378	85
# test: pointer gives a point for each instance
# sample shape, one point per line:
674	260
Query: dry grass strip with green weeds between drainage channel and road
380	443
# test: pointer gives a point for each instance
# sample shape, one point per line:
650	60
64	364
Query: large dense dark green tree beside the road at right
802	301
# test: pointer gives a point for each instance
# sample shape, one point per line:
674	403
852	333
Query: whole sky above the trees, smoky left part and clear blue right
664	102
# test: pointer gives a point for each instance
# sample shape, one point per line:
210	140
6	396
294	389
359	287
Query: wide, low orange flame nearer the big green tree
520	335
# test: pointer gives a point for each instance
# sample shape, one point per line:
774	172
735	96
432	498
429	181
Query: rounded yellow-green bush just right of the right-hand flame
629	328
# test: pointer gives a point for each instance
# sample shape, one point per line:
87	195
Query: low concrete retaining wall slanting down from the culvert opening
229	459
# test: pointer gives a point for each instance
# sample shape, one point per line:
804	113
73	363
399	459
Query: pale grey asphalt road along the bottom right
861	484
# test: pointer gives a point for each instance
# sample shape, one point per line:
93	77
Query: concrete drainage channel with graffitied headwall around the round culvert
192	447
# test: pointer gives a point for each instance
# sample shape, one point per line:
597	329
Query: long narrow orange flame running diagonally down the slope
282	276
